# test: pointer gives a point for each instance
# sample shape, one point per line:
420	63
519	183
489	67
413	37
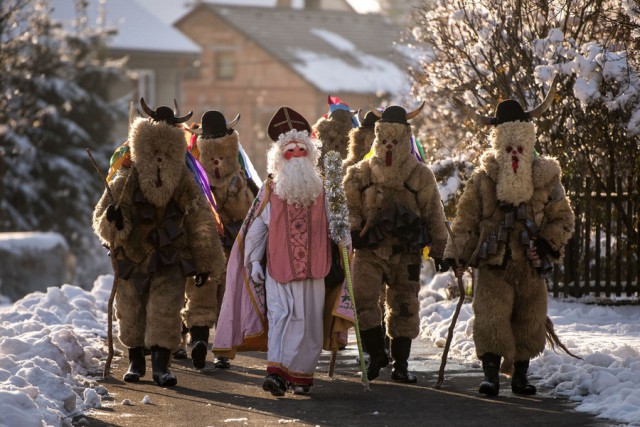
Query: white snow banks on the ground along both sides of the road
52	351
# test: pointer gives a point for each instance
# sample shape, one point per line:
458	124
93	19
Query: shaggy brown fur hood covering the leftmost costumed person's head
158	152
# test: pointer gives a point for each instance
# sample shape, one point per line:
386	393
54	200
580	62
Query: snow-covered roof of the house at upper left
137	28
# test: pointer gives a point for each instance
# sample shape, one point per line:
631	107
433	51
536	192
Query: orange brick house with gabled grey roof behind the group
256	59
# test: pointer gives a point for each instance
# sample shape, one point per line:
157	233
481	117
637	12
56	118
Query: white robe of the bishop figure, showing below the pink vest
294	311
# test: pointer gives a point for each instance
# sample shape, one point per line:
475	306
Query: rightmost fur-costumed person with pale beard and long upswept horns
513	220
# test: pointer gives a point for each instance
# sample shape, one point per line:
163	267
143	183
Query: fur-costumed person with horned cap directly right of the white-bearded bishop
395	211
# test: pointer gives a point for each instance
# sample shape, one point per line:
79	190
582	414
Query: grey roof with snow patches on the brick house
332	50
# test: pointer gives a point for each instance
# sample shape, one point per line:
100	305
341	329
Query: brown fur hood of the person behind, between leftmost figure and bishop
219	156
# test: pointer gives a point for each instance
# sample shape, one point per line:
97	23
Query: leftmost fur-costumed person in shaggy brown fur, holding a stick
161	230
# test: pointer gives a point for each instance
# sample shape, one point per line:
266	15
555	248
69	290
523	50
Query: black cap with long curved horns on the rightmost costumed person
510	110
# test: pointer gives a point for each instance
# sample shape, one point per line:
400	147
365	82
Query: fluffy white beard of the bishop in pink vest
297	181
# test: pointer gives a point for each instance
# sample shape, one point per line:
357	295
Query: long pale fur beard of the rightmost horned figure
513	187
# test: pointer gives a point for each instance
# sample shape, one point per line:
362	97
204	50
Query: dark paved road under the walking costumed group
234	397
